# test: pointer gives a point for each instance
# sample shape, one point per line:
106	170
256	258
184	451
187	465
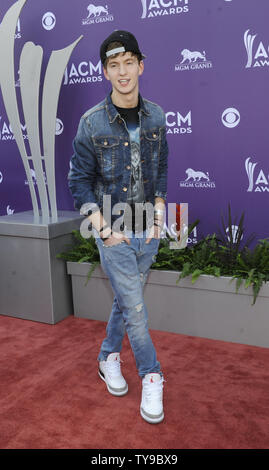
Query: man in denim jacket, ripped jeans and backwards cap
120	152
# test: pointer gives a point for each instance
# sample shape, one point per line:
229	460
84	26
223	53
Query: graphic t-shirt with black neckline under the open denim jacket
136	188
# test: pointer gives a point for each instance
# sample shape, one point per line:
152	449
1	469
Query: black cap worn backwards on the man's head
128	41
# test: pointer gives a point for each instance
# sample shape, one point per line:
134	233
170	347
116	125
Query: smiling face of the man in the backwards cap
123	72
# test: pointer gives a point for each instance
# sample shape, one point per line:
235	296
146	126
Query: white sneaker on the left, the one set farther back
110	373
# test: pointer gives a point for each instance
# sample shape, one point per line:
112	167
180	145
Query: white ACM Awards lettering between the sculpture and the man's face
84	72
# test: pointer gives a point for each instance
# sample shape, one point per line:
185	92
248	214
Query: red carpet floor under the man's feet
216	393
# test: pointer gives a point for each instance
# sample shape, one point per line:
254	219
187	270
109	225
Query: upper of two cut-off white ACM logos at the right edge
256	56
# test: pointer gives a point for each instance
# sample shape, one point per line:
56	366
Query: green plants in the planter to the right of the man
226	255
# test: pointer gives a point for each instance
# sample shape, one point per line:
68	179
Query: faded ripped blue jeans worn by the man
127	267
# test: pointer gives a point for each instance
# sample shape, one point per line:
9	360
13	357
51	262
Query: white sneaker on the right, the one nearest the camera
151	407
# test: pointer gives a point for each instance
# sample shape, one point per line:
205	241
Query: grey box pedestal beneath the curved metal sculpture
34	284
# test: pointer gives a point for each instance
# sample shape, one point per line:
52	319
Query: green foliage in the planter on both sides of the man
220	254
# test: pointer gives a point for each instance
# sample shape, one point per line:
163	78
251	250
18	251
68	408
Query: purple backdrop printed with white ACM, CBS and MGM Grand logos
207	65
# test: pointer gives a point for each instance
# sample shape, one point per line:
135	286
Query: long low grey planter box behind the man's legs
210	308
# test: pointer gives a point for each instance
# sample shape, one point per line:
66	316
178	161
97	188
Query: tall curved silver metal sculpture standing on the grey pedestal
30	70
